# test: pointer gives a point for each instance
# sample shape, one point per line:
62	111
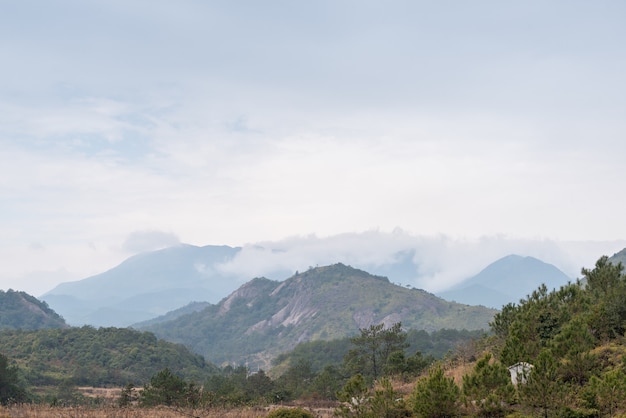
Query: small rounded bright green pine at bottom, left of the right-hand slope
436	396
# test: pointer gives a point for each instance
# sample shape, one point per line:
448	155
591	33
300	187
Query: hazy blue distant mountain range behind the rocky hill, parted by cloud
153	283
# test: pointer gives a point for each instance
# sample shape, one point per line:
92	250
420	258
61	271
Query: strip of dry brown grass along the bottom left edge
42	411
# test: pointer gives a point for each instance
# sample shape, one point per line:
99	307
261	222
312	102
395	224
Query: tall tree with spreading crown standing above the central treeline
373	348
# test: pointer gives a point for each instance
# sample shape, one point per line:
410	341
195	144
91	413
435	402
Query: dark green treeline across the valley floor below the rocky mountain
376	353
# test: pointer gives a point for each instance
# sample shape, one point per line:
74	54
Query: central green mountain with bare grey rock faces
264	318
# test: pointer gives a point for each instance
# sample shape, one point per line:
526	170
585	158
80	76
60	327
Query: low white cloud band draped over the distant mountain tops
440	261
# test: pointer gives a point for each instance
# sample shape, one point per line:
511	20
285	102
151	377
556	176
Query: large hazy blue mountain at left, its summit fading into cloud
145	286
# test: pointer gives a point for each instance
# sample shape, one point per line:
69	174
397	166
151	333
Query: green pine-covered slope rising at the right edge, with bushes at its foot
567	345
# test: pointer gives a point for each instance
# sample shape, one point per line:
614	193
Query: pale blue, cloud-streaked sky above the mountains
129	126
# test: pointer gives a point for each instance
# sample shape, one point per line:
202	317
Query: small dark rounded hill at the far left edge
19	310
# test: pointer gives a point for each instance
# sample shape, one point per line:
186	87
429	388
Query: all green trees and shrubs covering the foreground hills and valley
567	344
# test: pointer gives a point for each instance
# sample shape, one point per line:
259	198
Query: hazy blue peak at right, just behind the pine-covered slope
506	280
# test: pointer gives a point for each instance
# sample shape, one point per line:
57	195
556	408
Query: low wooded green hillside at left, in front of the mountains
97	357
